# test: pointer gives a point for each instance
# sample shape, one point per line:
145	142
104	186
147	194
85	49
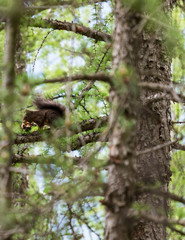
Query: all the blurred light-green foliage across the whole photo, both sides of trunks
60	199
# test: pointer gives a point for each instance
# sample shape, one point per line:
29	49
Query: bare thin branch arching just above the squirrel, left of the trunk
87	77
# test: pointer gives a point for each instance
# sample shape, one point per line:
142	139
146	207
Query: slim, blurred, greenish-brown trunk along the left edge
8	84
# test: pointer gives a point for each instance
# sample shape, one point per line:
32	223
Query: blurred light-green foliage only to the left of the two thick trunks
59	194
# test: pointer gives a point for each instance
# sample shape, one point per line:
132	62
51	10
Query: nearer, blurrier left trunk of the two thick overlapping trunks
121	182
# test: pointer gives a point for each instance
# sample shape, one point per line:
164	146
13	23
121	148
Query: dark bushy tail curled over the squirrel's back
44	104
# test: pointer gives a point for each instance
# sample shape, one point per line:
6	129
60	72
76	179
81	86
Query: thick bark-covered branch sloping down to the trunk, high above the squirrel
73	27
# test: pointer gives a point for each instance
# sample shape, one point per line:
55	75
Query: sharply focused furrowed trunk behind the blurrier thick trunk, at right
153	128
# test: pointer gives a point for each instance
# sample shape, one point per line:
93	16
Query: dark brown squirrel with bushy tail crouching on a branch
48	112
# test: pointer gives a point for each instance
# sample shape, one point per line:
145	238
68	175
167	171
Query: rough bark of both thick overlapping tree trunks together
145	52
